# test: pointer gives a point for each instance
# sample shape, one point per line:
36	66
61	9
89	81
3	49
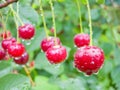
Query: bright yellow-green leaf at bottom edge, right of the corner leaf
42	83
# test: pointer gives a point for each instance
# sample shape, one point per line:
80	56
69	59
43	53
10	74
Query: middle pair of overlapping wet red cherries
54	50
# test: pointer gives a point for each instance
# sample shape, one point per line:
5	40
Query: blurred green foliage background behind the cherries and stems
106	34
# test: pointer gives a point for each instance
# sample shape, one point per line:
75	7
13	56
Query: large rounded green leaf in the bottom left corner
14	82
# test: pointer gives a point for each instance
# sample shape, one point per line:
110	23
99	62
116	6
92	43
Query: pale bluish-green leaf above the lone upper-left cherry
28	14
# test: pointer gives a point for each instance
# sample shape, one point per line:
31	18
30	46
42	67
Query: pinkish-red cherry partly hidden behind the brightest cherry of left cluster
7	42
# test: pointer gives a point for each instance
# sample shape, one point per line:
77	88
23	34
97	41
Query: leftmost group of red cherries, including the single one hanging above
10	47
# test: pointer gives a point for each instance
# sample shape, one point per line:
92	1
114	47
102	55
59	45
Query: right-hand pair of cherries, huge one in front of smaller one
88	59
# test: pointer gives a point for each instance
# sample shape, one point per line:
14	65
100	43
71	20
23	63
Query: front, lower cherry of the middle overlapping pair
56	54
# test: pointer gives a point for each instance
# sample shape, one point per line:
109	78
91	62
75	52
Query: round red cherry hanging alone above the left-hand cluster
26	31
